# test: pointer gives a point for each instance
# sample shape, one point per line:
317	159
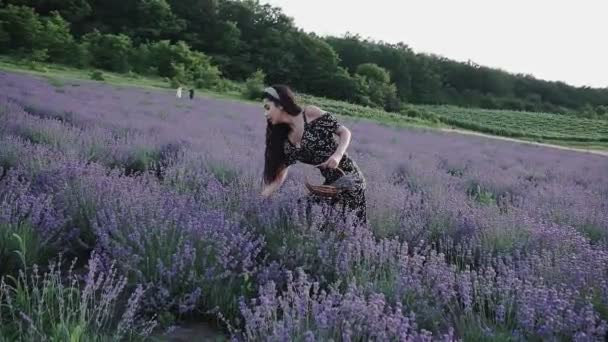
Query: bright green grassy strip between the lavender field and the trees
547	128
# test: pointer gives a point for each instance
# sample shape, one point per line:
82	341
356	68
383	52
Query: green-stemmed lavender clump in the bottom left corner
54	306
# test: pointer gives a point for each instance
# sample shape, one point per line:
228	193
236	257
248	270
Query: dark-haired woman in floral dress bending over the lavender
307	135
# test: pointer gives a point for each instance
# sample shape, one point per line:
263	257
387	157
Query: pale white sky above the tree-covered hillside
553	40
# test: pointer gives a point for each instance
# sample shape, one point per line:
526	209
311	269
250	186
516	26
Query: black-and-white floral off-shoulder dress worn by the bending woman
317	145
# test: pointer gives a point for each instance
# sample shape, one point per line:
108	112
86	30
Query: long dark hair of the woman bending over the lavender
276	135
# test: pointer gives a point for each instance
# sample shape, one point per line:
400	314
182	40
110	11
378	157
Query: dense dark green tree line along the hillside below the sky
208	41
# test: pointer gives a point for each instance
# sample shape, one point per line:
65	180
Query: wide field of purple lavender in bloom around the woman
156	199
